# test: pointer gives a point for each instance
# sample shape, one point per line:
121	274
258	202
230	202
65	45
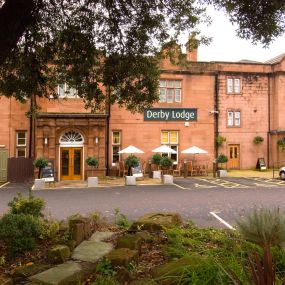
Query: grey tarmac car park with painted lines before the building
203	200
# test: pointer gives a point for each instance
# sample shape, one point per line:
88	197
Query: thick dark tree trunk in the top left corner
15	16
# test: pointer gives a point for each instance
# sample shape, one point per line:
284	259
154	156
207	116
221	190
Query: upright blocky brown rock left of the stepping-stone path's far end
76	231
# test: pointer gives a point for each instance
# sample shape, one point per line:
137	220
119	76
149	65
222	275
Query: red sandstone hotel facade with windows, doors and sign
237	101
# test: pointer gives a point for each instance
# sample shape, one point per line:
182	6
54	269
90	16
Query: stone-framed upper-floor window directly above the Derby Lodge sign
170	91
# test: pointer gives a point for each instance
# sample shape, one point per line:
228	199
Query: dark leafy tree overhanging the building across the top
112	44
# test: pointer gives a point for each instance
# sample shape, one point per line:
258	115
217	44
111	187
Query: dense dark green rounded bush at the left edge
19	232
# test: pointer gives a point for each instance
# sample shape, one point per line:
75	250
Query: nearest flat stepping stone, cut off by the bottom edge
69	273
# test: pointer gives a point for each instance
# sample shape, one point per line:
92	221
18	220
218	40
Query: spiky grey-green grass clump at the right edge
264	227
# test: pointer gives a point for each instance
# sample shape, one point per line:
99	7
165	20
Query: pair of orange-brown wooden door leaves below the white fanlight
71	163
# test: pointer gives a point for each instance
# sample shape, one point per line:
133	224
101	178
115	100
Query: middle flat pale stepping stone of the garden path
91	251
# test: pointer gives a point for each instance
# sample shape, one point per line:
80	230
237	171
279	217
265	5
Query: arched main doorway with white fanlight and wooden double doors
71	156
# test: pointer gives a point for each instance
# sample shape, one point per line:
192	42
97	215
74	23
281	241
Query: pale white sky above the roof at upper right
226	46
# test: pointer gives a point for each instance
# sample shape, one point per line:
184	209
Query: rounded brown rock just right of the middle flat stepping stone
122	256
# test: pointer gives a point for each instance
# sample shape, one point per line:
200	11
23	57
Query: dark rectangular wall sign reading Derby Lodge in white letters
170	114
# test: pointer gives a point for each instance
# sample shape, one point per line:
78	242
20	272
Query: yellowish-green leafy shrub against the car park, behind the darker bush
27	205
